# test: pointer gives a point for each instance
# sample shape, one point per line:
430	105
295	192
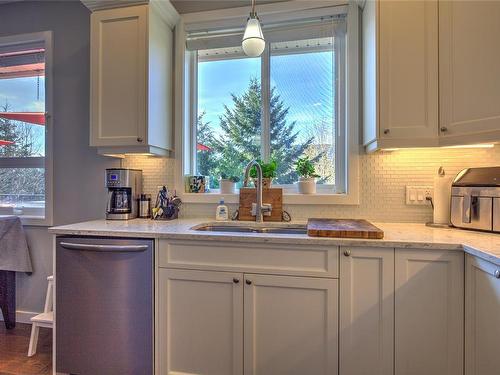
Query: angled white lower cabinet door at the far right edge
482	317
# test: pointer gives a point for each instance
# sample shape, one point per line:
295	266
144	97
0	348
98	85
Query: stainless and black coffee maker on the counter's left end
124	189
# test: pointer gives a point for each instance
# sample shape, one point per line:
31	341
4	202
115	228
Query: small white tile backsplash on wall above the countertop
383	180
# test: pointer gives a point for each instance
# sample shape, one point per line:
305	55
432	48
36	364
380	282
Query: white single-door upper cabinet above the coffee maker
131	80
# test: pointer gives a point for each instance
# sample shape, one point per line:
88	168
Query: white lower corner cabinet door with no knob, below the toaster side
429	320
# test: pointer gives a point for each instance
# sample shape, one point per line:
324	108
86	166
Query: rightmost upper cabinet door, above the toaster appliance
469	80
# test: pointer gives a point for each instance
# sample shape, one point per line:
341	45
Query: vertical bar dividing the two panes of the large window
265	137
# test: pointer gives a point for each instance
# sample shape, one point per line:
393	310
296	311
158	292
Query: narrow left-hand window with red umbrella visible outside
24	127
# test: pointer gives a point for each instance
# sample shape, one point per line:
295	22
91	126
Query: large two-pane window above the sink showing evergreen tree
286	104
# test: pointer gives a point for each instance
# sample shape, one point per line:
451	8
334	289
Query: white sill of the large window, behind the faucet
288	198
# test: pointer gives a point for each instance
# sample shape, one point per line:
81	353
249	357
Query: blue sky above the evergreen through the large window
304	82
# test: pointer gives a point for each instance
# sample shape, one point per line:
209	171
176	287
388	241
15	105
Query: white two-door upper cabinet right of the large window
430	73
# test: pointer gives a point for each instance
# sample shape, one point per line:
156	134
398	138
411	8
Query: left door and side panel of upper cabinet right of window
400	74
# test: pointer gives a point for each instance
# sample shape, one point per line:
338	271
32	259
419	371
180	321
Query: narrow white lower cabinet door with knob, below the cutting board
367	311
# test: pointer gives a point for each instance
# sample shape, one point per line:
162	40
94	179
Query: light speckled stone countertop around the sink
399	235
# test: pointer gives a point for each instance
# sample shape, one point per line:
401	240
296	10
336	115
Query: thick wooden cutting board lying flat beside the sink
343	228
